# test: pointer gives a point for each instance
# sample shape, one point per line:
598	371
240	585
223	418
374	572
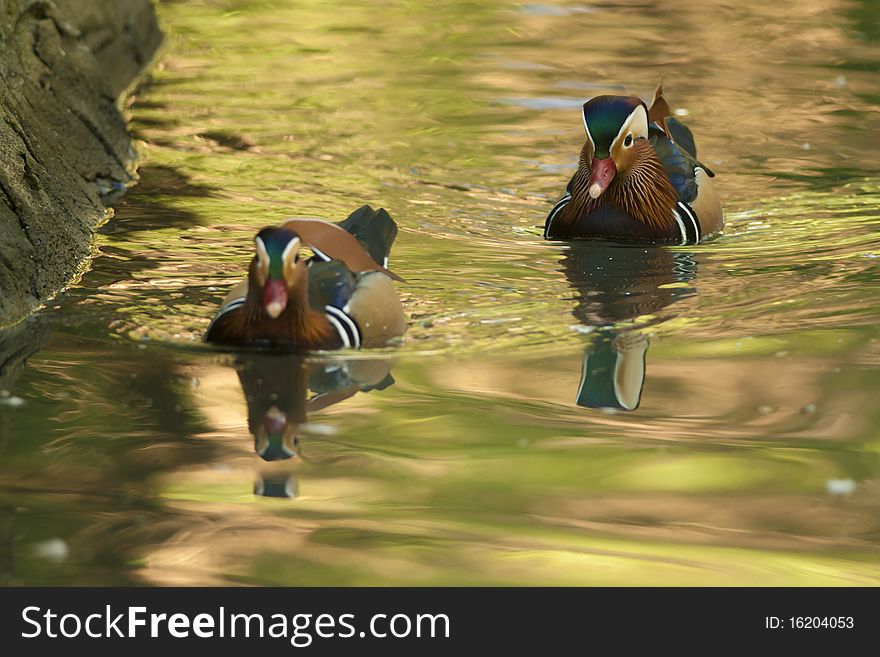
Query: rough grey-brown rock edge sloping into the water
65	66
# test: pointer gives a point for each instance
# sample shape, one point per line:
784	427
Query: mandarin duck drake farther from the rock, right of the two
638	178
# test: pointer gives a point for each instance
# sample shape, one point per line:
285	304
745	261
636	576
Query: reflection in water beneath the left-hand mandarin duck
282	390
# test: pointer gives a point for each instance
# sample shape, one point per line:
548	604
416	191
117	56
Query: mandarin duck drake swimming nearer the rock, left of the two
342	296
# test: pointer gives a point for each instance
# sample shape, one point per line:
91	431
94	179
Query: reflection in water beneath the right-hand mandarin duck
614	285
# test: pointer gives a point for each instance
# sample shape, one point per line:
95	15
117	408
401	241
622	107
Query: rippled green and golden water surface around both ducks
559	413
